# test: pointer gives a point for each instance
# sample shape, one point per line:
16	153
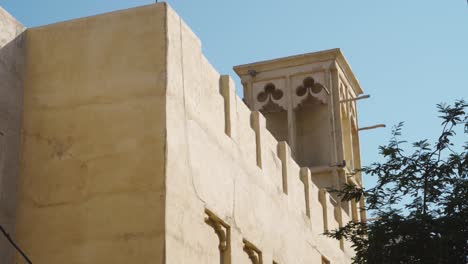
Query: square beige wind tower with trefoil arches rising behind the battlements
309	101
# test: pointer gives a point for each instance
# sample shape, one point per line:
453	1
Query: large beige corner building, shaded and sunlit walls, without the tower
129	136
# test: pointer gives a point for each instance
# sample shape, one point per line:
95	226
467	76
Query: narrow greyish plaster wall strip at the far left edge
11	95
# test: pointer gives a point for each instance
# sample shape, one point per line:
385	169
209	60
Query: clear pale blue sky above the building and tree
408	55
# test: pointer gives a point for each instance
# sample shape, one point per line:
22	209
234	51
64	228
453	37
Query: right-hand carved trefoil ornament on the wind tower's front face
311	91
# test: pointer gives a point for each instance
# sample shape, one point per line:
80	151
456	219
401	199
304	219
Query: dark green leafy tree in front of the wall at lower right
419	206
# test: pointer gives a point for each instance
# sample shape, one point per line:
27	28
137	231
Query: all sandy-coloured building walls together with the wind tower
131	148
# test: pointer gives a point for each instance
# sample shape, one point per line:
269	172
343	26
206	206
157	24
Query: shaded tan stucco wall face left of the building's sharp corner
91	188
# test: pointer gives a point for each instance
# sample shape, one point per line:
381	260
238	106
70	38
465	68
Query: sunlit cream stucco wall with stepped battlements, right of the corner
208	169
